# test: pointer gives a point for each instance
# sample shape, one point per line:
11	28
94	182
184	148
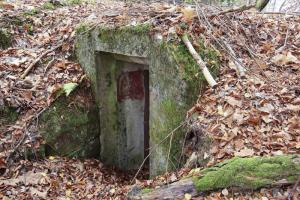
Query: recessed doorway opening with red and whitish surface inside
123	89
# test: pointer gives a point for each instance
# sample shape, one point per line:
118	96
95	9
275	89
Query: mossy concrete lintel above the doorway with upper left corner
124	40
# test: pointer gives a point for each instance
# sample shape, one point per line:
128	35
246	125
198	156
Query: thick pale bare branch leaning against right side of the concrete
211	81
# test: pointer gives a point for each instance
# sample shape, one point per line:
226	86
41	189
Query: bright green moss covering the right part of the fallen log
249	173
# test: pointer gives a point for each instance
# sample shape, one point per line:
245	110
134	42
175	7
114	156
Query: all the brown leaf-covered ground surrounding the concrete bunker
257	114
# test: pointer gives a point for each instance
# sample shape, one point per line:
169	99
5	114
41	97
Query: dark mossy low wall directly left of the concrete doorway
70	126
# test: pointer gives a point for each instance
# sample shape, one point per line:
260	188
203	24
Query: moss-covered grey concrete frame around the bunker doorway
175	81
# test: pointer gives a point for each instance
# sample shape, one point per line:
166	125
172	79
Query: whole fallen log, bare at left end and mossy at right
237	173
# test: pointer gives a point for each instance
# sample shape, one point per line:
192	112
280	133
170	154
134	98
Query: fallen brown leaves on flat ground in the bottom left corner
61	178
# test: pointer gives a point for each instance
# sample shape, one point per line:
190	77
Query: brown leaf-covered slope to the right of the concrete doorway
257	114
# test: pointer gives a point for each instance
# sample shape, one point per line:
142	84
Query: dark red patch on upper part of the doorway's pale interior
131	86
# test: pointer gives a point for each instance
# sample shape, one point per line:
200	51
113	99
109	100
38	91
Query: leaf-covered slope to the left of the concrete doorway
43	40
